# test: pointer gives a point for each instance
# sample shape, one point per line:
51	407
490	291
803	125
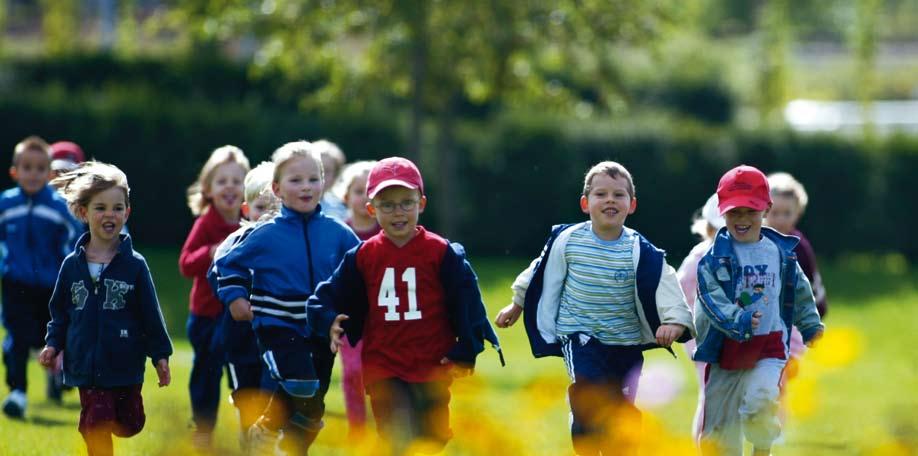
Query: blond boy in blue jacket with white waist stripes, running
267	276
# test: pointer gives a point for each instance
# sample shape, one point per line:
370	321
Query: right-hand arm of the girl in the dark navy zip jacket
156	338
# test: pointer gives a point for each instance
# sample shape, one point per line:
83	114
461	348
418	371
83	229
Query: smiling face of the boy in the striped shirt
608	204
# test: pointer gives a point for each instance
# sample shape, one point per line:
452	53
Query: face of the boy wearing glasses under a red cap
389	207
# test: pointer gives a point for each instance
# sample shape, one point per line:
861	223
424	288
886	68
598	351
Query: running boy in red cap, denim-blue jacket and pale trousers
751	291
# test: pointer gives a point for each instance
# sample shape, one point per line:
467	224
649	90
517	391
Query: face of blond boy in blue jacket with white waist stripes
300	184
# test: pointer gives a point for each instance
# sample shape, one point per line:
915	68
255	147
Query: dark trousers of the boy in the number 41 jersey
409	411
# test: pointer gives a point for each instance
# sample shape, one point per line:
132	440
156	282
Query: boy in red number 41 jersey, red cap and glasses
414	300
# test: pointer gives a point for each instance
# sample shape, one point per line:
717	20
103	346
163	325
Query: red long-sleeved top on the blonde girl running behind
209	230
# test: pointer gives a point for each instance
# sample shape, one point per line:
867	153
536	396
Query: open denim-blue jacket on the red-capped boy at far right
716	314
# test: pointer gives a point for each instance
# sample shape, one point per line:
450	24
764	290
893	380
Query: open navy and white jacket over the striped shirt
658	296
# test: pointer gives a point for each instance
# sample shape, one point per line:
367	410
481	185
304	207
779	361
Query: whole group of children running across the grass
293	264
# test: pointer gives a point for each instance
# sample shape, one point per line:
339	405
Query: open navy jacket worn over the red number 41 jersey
345	292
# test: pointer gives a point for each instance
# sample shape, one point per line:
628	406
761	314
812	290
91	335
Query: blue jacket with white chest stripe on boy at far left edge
37	232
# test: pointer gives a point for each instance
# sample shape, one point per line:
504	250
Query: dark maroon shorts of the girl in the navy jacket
120	408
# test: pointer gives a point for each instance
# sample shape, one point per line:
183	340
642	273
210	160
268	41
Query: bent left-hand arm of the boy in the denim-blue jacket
726	316
